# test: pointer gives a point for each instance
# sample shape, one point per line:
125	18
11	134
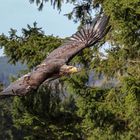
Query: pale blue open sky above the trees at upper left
17	14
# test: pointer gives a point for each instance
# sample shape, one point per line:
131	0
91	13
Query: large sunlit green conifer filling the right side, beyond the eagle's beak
115	113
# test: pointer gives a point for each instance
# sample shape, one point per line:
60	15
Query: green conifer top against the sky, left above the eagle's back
30	48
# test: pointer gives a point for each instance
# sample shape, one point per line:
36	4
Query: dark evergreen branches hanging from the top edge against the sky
82	11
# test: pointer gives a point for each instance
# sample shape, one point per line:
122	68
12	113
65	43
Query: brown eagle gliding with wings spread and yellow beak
56	63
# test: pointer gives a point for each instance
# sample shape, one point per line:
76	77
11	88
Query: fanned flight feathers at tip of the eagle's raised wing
92	33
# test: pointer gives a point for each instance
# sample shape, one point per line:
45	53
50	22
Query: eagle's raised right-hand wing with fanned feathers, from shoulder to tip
85	37
